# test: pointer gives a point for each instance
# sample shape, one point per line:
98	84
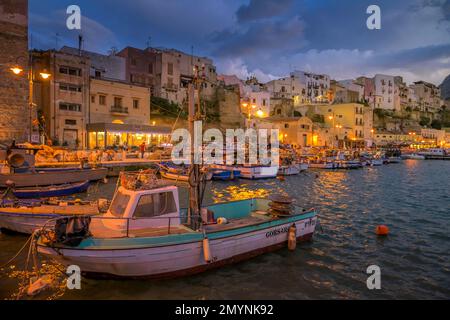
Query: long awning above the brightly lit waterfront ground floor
128	128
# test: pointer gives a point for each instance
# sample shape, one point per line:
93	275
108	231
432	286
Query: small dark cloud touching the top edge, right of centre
262	9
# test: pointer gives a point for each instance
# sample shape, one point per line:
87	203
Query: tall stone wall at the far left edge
14	112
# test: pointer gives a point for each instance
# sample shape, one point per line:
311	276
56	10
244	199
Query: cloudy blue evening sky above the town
266	38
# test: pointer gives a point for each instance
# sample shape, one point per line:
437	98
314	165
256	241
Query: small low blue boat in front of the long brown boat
51	191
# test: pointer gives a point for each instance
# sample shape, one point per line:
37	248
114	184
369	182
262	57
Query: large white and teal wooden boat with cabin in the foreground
146	234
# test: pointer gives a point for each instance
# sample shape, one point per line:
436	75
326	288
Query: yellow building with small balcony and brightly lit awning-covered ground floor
119	116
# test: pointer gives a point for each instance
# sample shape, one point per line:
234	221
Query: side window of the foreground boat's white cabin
152	205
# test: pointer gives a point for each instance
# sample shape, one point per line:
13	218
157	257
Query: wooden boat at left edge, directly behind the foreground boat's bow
26	216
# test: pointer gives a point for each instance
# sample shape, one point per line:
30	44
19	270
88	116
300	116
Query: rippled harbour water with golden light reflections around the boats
412	198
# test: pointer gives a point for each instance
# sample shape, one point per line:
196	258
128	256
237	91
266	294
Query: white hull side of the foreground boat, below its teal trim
179	259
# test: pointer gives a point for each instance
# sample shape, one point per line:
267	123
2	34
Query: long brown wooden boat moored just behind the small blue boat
54	177
